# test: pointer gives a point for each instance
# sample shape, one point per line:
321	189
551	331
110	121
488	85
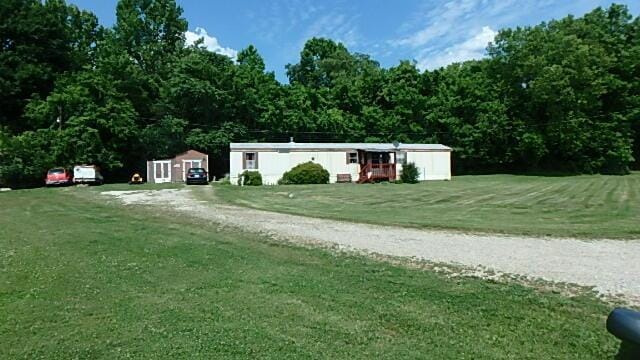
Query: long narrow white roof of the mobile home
337	146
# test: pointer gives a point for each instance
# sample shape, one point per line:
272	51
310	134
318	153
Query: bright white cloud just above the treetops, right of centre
472	48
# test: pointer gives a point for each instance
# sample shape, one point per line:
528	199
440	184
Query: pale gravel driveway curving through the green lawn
609	266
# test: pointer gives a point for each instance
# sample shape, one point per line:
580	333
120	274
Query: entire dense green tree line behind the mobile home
559	96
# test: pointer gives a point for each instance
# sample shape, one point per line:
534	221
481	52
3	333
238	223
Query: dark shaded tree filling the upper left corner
39	41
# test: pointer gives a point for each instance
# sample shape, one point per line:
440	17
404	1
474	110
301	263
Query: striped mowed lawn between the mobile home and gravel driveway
576	206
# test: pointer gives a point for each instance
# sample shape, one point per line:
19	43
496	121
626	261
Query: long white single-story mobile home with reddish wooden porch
359	162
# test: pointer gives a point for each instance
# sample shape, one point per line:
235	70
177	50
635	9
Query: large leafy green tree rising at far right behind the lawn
563	80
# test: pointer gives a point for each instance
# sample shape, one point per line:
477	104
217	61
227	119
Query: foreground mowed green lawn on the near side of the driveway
81	278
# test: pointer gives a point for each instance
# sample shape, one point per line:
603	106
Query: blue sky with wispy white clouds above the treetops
433	33
